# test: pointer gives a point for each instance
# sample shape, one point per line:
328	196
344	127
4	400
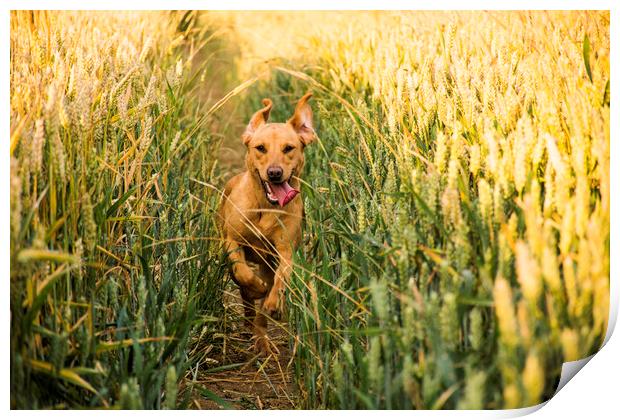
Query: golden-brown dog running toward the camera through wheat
261	212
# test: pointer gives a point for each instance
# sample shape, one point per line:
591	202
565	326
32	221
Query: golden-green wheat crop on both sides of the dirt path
456	240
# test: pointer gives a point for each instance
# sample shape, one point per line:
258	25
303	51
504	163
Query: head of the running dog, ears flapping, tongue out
276	150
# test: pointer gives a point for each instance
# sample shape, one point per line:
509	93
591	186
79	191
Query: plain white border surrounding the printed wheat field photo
593	393
